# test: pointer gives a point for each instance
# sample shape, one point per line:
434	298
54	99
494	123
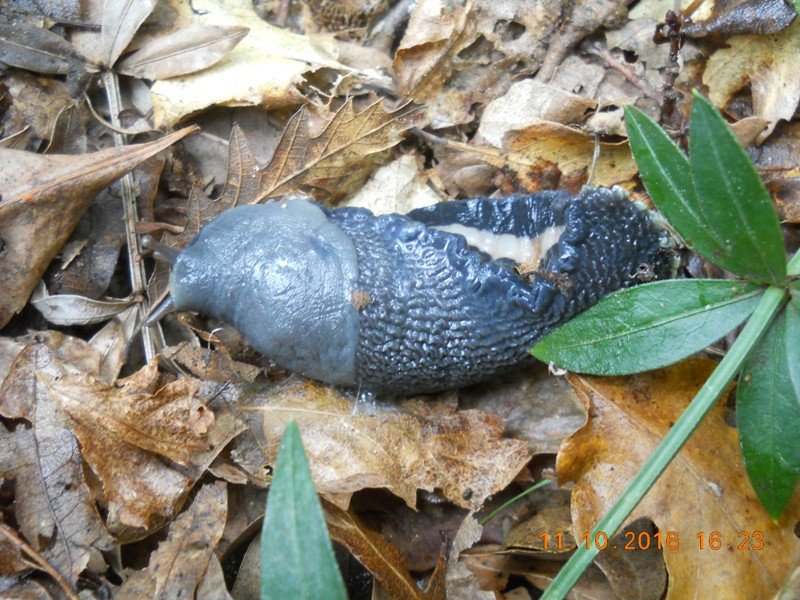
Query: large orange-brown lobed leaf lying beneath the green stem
704	490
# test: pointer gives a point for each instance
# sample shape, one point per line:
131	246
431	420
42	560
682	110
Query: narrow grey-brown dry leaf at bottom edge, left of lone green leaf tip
177	568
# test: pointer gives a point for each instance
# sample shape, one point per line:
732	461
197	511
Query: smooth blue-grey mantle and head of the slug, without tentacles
283	275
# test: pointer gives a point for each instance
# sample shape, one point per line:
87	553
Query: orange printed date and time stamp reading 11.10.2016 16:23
670	540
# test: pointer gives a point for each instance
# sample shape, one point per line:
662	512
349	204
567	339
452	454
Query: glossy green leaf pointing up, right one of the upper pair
733	199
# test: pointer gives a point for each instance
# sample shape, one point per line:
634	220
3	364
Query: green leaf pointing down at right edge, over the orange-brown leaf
768	412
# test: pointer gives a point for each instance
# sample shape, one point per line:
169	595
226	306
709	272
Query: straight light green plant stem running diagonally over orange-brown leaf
771	303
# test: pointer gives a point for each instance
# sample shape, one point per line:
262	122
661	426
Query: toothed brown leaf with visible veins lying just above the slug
337	160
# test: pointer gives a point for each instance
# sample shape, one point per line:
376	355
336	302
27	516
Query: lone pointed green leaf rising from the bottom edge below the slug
297	559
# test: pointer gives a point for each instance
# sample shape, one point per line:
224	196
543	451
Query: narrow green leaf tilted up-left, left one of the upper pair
667	176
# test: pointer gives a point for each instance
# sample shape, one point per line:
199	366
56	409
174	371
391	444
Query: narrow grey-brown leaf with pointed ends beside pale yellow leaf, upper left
180	52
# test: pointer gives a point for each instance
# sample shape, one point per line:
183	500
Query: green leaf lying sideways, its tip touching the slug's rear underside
649	326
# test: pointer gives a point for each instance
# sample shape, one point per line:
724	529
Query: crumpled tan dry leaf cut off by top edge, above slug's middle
456	55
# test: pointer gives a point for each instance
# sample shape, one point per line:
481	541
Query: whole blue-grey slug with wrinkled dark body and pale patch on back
418	303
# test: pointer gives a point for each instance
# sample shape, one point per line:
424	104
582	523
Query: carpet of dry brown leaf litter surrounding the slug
101	451
